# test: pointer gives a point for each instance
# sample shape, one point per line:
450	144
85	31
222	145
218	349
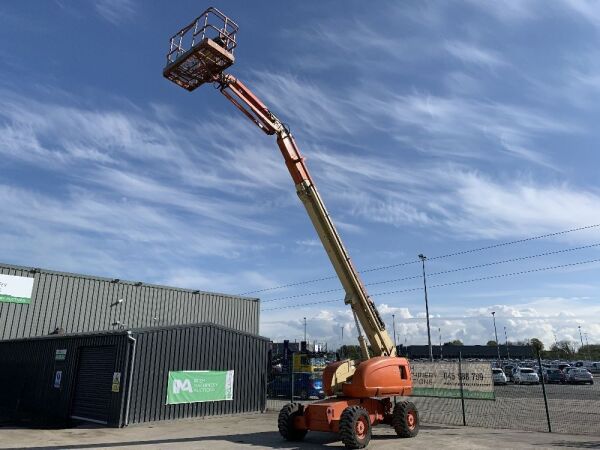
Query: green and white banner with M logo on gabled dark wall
192	386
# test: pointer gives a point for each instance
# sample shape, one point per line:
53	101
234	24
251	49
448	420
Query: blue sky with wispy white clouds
429	127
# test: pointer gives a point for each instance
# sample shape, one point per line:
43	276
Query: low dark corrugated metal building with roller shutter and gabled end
32	389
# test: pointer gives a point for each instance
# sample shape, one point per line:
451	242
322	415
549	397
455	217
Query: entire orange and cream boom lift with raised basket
360	392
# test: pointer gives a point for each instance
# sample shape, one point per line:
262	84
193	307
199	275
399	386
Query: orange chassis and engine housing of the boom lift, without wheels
372	385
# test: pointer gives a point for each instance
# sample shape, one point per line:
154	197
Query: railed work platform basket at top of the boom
200	51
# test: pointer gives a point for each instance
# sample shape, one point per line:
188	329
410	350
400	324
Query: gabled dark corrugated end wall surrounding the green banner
201	347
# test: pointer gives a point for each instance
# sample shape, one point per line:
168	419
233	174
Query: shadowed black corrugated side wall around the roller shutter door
27	374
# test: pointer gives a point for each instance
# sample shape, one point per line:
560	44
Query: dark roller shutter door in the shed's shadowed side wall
91	400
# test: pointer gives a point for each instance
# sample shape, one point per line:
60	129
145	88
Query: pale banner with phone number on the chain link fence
443	379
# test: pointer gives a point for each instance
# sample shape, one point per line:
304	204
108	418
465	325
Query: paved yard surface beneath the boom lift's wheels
258	431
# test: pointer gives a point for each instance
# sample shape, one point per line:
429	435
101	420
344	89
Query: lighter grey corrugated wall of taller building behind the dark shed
80	303
